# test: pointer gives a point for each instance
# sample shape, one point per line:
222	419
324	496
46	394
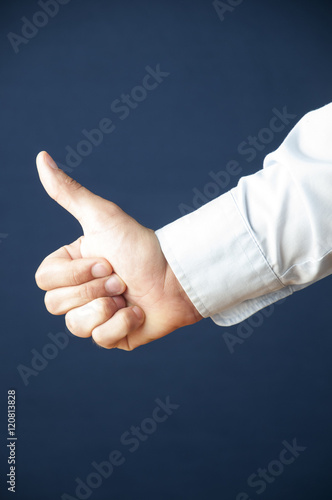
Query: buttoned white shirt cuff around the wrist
219	264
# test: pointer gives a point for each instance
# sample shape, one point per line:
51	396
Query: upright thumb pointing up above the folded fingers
68	193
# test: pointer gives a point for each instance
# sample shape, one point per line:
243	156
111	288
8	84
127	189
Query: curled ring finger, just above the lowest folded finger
83	320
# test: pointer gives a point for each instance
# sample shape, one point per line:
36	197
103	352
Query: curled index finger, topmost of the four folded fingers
57	271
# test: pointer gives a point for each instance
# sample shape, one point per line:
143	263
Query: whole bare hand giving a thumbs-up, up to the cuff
153	304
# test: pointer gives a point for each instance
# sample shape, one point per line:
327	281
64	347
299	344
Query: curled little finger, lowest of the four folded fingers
124	322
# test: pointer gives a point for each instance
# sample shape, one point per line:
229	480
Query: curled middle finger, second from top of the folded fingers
62	300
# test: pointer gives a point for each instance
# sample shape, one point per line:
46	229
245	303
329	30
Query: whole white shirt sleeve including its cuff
269	236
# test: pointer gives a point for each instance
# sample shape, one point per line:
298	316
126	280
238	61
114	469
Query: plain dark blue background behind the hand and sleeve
235	409
